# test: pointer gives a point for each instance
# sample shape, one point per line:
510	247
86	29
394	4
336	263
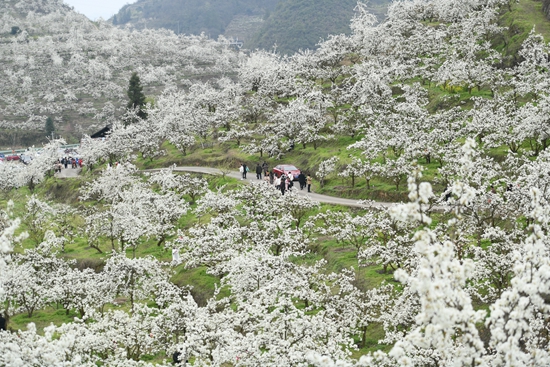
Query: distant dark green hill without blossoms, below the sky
292	25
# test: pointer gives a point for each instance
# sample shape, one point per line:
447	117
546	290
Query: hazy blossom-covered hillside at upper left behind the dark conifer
57	63
